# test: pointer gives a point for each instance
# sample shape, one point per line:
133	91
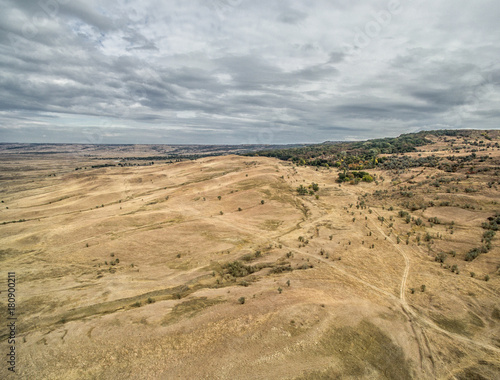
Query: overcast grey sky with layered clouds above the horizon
245	71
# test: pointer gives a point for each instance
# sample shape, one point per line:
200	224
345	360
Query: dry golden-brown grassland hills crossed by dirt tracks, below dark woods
217	268
